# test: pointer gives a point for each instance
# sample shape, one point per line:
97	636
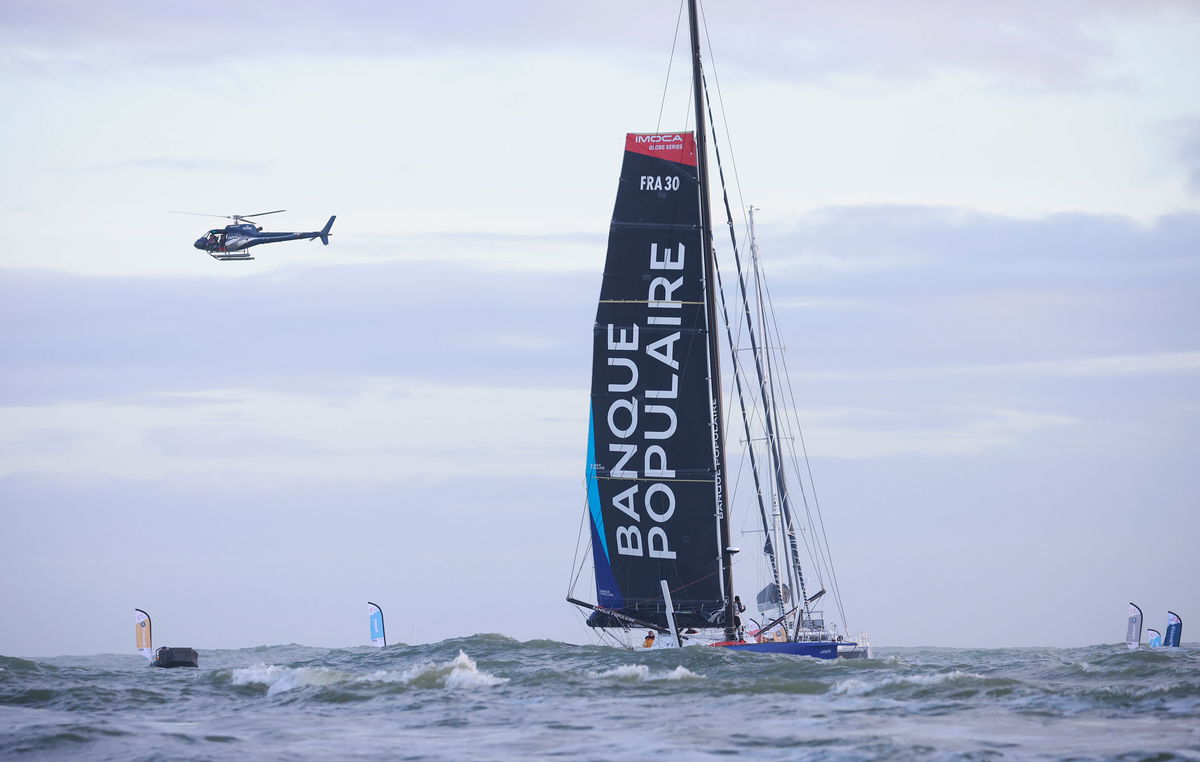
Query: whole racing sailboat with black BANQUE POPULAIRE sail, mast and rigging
658	491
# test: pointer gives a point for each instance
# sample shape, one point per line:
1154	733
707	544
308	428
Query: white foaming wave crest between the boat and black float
461	673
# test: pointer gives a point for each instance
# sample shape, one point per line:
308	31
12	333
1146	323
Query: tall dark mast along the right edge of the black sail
715	347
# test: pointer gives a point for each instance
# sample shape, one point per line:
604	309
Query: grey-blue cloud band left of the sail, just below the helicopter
71	338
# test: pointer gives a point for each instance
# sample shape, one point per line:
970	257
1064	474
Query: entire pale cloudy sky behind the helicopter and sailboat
981	224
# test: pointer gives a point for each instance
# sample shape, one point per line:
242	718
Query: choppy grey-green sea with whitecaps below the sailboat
494	698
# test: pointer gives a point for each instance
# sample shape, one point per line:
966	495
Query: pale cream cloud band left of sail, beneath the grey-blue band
376	429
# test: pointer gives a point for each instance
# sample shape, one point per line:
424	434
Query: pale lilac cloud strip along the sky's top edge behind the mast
1059	45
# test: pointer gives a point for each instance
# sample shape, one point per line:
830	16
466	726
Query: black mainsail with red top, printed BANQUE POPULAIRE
653	494
